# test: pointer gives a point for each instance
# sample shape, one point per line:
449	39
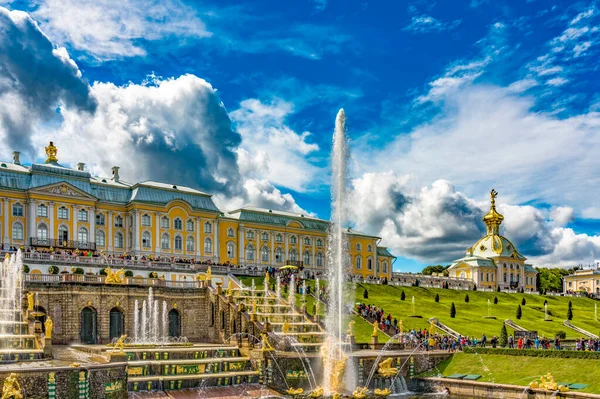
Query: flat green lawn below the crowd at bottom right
521	370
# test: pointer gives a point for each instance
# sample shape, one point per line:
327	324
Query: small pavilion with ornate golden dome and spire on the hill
494	261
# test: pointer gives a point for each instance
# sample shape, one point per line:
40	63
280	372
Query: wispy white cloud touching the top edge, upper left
108	29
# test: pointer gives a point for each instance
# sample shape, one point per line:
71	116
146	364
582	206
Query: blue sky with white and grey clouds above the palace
444	101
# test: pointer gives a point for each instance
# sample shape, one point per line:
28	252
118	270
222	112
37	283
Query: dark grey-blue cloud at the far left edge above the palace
35	79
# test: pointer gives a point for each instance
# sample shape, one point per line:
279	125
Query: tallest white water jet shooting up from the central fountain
334	357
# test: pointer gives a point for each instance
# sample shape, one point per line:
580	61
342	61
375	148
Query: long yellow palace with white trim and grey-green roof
53	206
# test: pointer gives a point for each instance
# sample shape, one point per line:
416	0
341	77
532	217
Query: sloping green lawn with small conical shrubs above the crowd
470	319
